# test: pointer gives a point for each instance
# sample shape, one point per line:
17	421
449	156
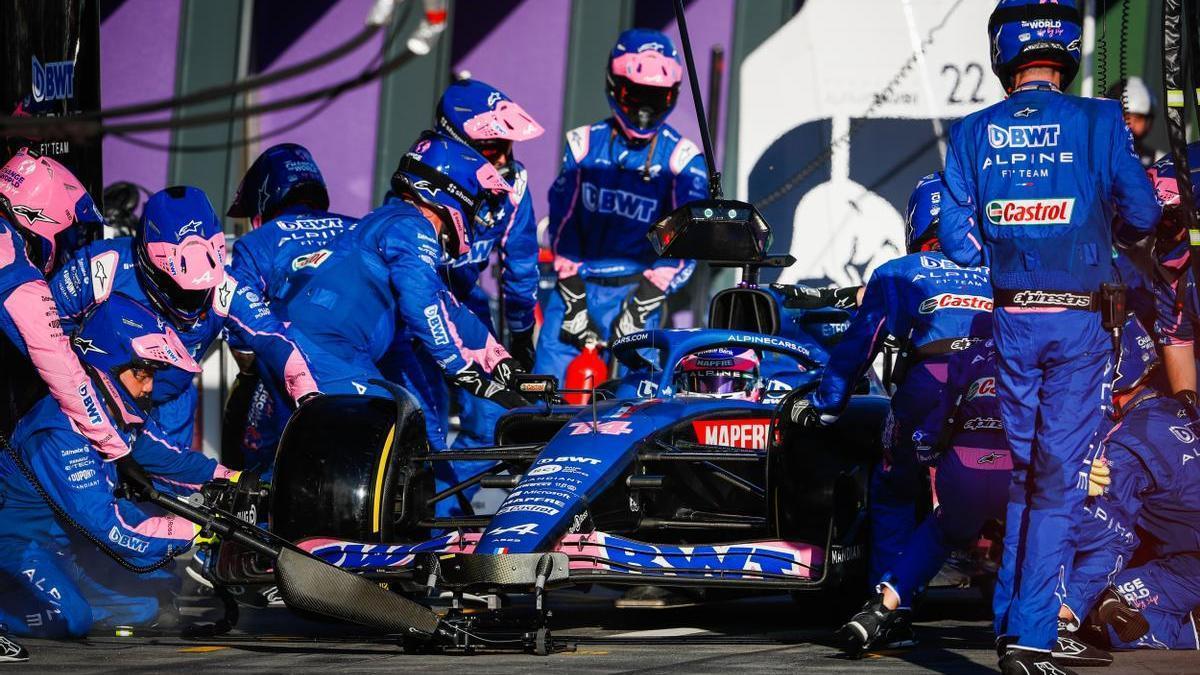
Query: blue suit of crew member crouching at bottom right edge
1154	503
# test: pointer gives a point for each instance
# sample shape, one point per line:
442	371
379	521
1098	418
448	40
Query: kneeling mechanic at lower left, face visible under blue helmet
53	584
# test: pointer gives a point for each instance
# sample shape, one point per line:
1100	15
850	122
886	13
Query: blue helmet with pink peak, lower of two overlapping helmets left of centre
451	178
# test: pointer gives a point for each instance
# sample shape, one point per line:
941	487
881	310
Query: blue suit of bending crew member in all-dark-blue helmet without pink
275	261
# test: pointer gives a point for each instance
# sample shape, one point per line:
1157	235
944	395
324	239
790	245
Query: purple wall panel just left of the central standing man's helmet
526	58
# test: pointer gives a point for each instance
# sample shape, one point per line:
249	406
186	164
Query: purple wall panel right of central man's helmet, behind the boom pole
710	22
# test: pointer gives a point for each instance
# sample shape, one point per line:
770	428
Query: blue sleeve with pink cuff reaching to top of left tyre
250	320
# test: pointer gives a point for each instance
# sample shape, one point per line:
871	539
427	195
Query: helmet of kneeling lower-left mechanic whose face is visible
119	334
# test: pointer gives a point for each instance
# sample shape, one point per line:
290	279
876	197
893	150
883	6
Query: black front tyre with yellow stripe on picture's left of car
339	467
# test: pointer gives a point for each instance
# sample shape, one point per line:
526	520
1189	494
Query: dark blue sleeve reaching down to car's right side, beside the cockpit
865	338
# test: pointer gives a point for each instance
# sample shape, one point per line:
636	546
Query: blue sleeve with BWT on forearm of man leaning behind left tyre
424	302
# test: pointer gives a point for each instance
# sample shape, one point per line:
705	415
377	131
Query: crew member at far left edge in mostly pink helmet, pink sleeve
41	208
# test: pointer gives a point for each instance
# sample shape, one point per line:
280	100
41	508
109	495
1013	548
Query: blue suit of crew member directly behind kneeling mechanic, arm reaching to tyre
99	270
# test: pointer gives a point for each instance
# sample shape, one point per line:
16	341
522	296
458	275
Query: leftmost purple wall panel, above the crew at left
139	45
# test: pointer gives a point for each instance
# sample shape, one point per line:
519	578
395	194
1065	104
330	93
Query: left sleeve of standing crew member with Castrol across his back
958	231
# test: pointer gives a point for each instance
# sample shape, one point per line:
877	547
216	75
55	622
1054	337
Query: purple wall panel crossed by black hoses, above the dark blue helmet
341	138
